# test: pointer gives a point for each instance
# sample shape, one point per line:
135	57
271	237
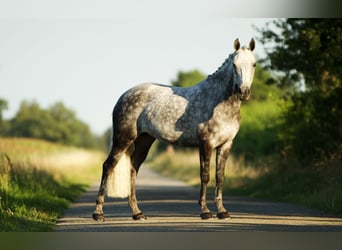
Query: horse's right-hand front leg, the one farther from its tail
222	153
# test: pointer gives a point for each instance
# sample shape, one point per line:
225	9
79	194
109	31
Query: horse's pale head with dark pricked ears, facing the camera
244	67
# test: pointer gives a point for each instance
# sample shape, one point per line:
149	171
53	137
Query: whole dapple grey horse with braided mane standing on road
206	116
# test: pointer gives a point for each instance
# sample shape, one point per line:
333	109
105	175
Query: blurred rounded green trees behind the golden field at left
55	124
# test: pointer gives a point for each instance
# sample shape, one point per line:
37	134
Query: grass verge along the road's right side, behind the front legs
319	187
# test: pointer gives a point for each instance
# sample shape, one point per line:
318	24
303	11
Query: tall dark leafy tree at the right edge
308	53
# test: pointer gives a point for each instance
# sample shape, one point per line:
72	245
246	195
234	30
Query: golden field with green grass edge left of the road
38	180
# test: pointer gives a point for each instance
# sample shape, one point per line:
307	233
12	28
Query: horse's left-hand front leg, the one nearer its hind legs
205	155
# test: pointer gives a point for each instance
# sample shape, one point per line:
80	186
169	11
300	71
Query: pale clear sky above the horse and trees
86	55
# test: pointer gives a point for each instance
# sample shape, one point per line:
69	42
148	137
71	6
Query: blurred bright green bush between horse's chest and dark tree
260	119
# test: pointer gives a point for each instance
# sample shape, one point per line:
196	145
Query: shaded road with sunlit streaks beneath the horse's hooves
171	205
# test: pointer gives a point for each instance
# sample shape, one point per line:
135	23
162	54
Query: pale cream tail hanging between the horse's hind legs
119	180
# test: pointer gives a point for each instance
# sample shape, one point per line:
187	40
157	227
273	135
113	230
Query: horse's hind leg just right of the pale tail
142	146
